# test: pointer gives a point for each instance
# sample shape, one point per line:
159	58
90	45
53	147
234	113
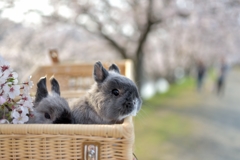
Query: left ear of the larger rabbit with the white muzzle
100	73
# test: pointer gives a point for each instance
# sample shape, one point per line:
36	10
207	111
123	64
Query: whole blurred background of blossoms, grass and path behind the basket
185	56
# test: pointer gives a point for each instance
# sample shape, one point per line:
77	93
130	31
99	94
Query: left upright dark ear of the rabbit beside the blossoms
41	89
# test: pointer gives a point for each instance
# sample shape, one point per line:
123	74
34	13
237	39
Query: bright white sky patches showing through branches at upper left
23	10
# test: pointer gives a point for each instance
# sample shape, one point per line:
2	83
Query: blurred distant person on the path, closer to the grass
201	69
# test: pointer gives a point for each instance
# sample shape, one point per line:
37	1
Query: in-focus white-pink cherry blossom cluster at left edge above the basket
9	89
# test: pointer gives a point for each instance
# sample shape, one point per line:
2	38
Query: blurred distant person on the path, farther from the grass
221	77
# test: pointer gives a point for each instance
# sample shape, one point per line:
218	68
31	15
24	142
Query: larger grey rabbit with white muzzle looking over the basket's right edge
111	98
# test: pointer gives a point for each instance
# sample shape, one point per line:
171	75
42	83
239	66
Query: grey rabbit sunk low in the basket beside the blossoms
50	108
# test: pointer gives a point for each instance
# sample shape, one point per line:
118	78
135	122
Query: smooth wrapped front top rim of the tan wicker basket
116	130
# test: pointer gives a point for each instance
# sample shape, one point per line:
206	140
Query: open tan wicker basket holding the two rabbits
68	141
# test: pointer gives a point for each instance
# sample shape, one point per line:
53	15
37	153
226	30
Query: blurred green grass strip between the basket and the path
155	126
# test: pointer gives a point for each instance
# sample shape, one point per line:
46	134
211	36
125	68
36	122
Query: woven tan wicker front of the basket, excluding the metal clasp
42	141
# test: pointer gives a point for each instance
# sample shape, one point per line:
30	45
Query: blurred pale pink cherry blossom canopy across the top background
159	36
